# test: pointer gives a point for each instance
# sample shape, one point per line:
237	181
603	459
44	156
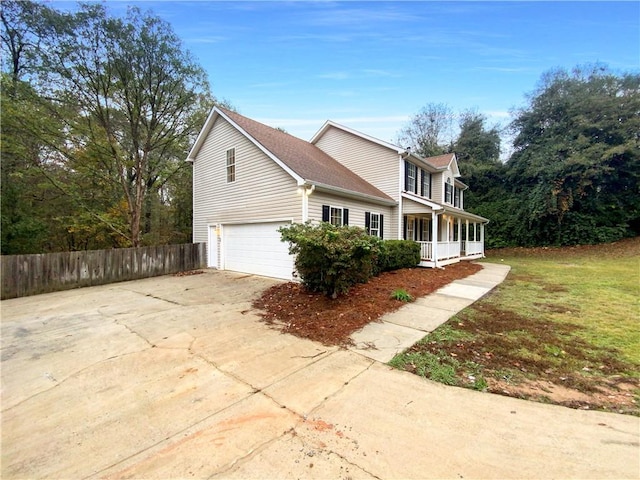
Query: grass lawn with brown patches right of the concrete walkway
565	316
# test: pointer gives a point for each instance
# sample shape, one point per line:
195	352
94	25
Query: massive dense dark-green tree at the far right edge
576	165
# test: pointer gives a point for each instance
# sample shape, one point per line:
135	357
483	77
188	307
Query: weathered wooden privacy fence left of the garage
24	275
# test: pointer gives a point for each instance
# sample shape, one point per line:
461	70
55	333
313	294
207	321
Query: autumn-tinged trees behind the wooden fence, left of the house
98	113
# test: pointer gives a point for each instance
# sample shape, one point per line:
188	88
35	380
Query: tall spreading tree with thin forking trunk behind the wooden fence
136	95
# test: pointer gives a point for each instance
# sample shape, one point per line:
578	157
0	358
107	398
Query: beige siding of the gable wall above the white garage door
262	190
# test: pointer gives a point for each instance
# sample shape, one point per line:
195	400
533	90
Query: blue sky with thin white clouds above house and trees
372	65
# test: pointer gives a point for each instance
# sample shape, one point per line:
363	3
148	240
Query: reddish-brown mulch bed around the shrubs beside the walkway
293	310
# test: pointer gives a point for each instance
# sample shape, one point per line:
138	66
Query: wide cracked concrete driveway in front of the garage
176	377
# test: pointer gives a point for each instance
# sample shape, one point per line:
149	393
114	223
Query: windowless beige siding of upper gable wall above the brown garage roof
378	165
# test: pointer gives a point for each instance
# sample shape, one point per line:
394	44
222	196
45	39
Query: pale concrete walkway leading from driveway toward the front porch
399	330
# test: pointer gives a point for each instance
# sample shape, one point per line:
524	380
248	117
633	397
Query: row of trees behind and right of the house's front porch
573	174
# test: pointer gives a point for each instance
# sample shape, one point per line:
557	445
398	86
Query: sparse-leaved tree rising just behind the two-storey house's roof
429	132
